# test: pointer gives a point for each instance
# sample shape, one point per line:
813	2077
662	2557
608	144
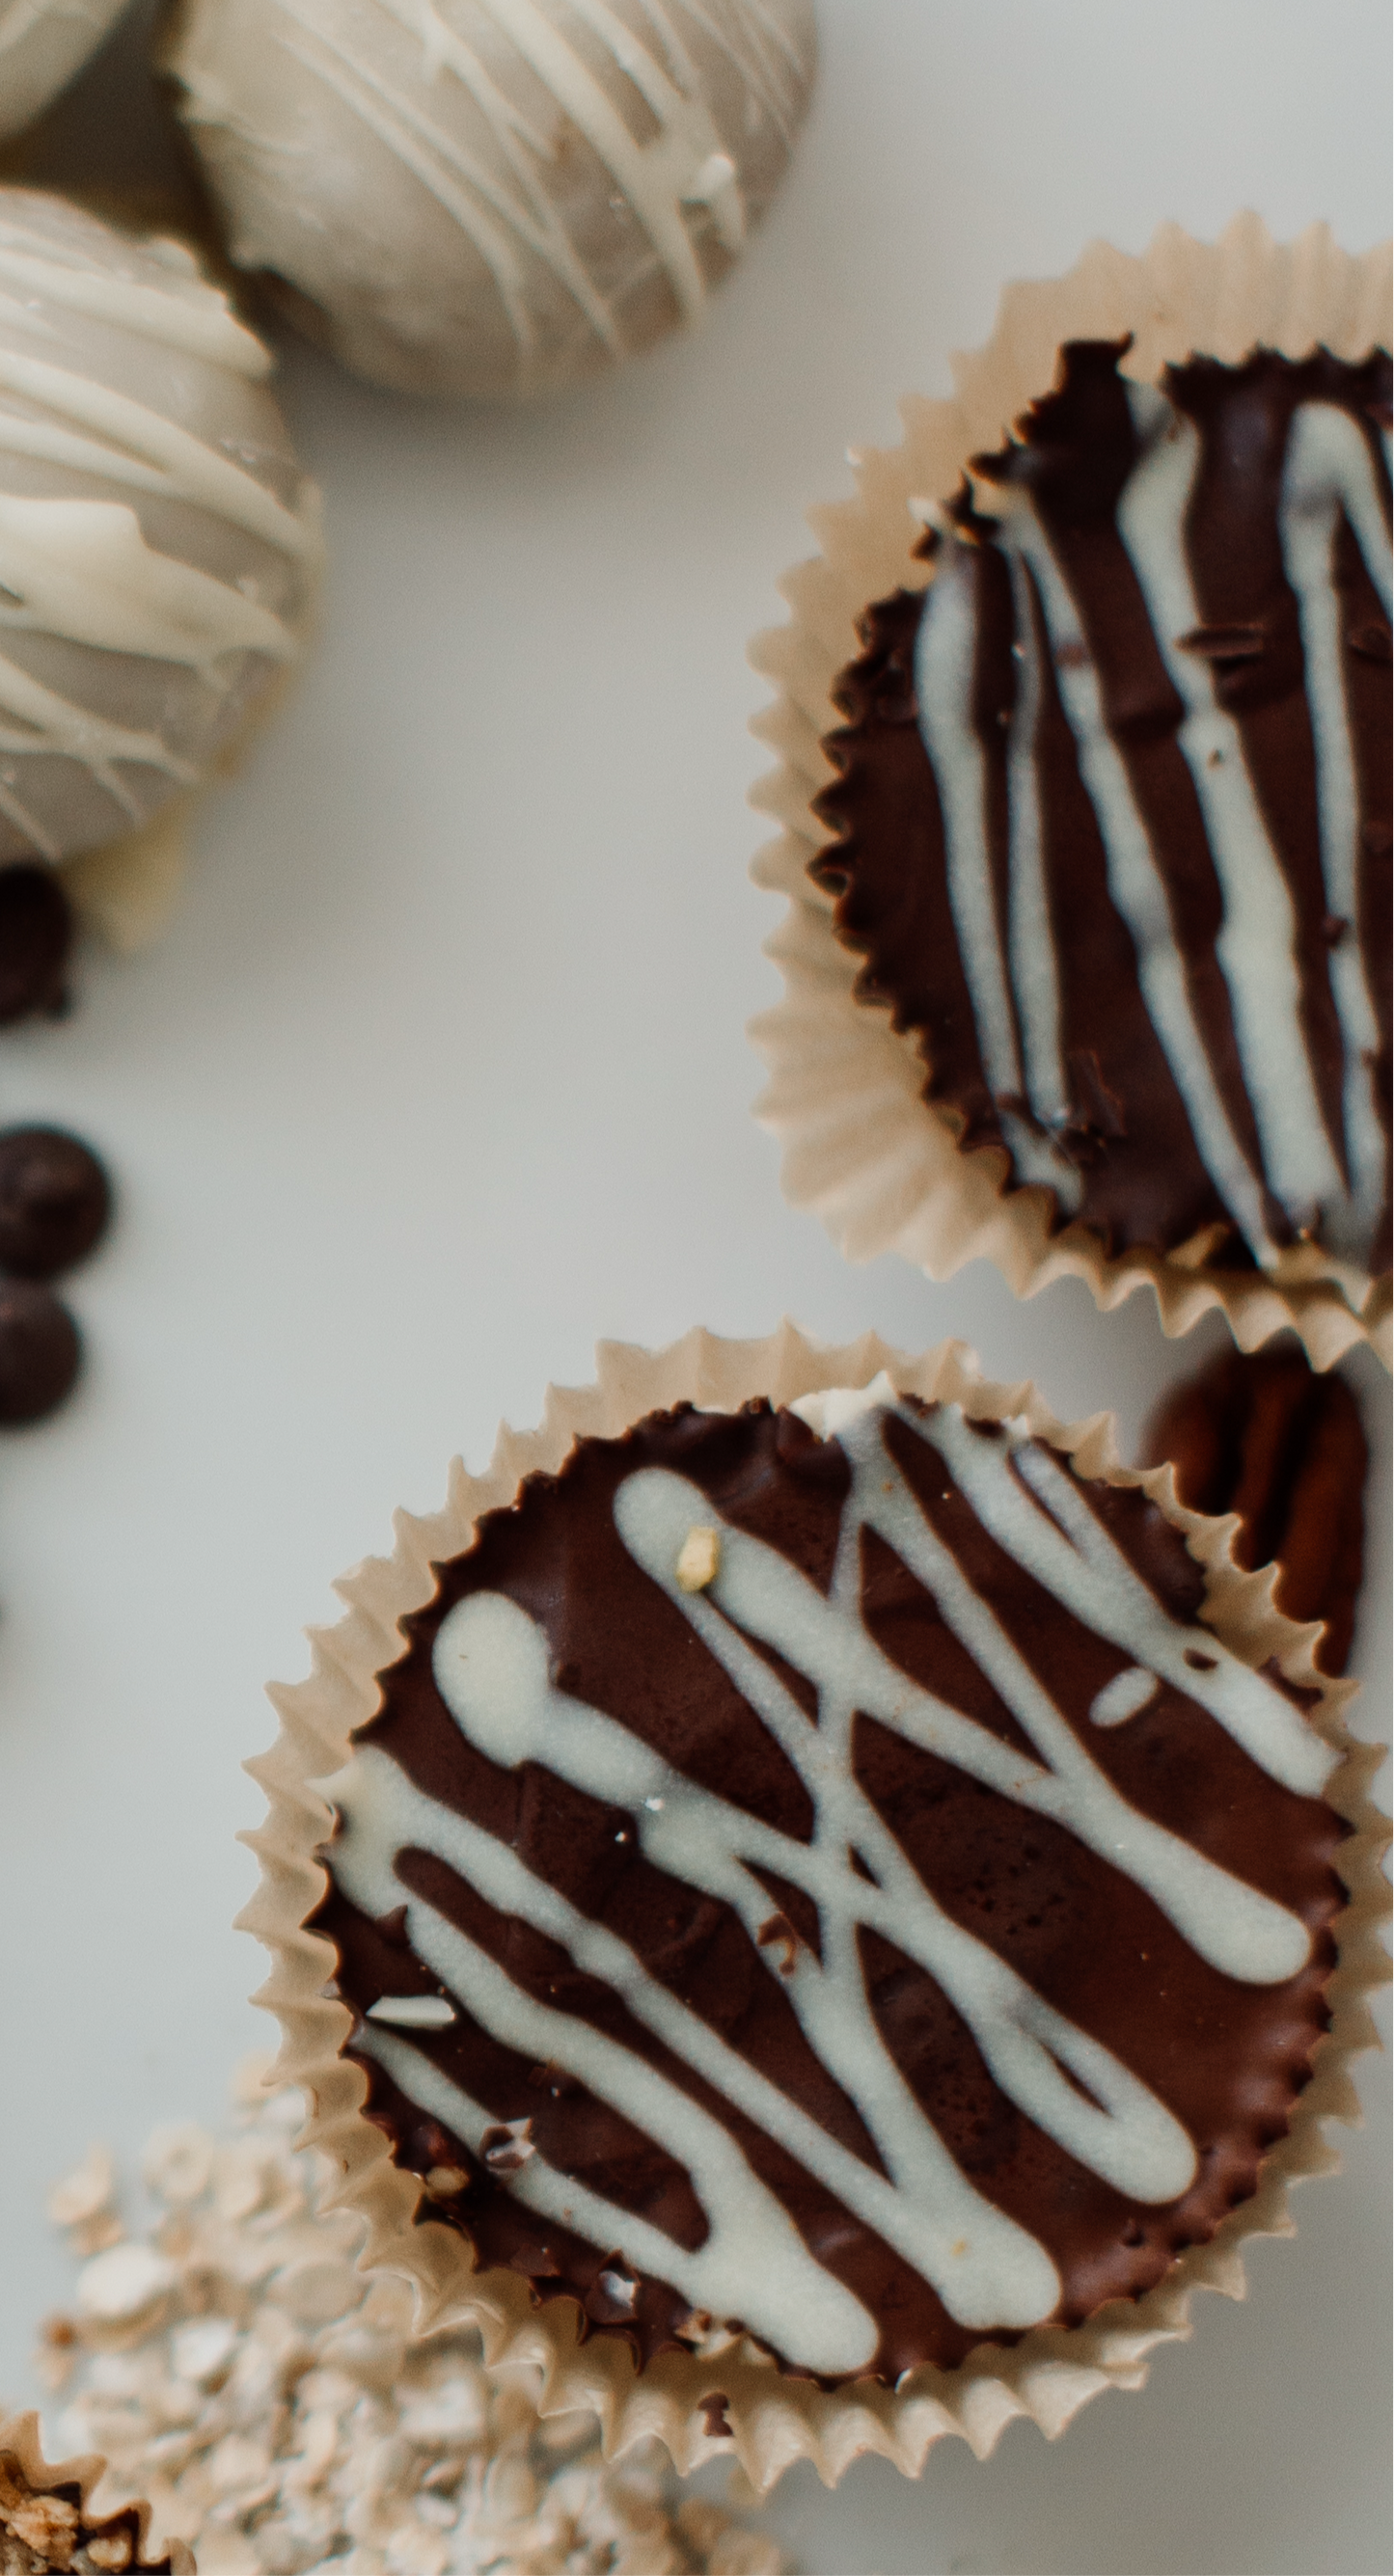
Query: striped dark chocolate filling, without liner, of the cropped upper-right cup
1117	805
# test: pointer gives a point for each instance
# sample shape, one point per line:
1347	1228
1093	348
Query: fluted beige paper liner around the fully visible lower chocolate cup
774	2418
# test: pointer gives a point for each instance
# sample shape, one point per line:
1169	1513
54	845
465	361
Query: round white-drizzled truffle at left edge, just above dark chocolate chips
158	540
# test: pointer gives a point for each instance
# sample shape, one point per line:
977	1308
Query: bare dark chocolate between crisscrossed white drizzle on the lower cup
1225	2057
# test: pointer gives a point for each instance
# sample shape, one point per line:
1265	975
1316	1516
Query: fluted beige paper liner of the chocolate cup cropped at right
862	1145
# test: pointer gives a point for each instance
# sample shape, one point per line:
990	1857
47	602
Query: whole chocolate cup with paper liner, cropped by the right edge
1089	802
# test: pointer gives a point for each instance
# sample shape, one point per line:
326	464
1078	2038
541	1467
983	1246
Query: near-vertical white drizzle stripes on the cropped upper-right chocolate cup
1328	480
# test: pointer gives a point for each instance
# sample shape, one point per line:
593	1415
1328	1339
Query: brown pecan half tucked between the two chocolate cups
1266	1436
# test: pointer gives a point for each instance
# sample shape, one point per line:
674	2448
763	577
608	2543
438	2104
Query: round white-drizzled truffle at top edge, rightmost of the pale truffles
491	197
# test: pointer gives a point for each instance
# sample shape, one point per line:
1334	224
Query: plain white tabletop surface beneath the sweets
442	1073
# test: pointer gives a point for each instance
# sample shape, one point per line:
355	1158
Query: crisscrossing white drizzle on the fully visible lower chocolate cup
491	1665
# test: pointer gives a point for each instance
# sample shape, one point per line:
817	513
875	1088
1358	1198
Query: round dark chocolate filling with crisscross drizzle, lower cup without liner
831	1887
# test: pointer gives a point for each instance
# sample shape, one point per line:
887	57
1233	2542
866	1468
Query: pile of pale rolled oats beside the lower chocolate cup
277	2412
